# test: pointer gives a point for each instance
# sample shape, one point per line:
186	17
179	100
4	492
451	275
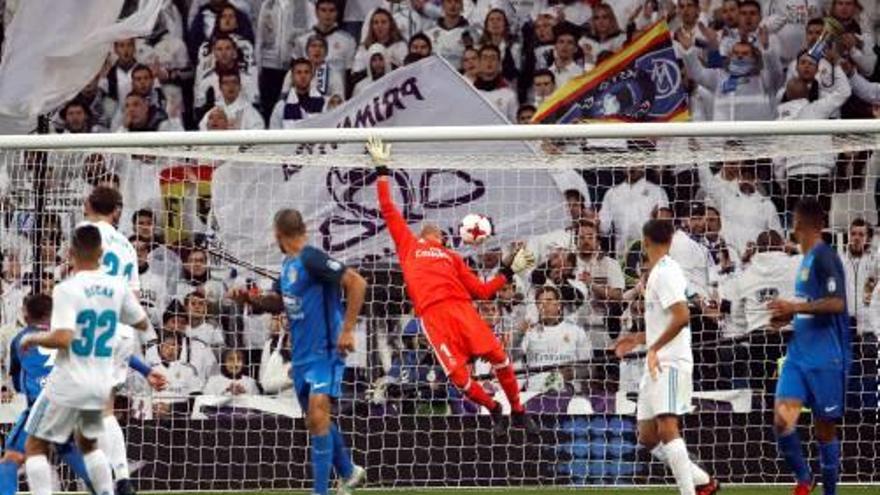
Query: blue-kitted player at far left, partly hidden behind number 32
29	370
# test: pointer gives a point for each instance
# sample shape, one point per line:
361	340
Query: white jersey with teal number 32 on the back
91	304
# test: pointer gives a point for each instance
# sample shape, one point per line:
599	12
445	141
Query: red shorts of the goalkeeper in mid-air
457	334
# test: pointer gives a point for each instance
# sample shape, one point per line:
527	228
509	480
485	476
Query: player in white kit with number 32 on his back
87	309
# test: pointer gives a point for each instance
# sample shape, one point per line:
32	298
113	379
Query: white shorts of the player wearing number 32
56	423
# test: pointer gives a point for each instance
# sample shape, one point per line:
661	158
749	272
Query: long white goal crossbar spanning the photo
443	133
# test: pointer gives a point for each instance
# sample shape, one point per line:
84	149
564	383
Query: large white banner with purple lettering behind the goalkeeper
339	203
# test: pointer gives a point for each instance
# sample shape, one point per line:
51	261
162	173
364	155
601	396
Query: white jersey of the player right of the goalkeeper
667	286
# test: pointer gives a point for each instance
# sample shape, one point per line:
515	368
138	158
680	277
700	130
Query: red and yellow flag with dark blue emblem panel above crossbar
643	82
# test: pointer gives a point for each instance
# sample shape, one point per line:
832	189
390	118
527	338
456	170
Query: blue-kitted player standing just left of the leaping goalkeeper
310	290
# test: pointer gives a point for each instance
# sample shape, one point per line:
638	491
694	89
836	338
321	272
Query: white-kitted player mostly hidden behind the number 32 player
102	209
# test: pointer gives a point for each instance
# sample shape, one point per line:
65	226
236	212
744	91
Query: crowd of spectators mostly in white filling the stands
240	64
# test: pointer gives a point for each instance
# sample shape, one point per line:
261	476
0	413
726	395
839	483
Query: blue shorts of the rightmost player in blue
823	391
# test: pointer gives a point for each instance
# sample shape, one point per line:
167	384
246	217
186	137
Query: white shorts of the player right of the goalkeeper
670	393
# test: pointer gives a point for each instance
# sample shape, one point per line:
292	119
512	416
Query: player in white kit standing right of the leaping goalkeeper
666	386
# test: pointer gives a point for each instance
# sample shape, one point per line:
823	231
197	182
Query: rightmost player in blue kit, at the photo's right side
819	353
